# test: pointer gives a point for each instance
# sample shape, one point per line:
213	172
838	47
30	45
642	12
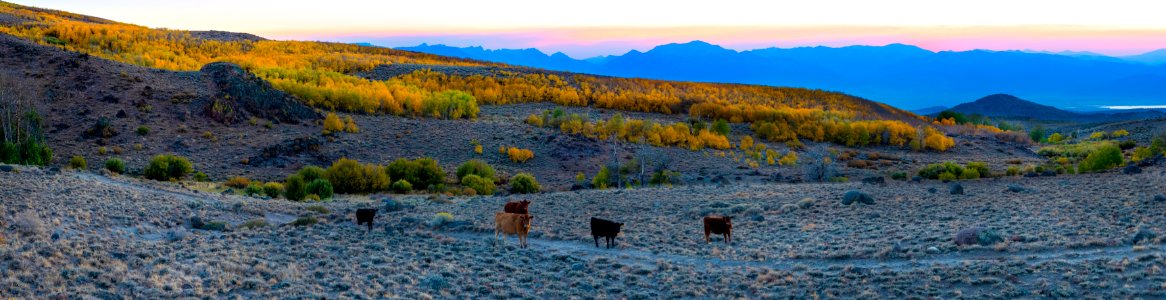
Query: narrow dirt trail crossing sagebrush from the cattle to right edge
631	256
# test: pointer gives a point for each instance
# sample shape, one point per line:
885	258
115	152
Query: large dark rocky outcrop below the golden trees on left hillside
243	95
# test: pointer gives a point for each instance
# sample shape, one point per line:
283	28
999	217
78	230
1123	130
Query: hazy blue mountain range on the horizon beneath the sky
901	75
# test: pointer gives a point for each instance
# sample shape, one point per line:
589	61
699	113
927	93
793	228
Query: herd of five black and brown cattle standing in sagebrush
516	220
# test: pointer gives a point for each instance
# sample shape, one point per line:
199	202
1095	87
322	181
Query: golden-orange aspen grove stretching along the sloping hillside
326	76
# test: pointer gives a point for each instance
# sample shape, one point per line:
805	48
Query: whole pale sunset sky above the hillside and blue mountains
602	27
